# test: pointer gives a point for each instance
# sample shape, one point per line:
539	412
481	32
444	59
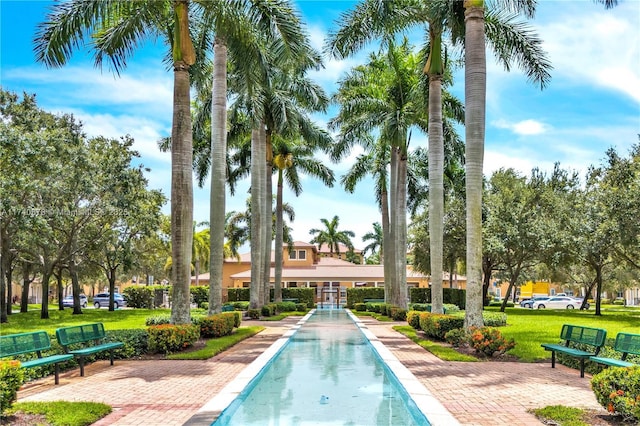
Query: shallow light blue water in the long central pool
327	374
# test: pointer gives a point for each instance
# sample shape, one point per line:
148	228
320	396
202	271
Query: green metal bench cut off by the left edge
32	343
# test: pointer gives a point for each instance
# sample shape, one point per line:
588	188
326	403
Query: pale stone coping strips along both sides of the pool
435	412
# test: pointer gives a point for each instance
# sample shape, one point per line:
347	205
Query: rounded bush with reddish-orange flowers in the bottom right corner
618	390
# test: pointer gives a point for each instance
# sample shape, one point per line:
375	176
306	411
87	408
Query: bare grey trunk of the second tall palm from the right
436	191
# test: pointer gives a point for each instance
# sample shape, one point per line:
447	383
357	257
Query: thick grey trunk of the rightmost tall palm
475	102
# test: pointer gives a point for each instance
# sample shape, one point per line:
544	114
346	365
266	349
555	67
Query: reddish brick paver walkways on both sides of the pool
164	393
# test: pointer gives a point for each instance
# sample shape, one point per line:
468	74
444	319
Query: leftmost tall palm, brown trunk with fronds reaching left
116	28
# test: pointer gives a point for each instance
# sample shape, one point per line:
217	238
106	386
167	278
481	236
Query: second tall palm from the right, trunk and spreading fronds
372	19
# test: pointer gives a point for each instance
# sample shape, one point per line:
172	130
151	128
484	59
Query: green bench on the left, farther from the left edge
74	341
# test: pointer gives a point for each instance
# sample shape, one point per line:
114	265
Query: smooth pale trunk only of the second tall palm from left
218	174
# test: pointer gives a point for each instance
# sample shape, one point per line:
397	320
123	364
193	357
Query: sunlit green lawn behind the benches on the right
532	327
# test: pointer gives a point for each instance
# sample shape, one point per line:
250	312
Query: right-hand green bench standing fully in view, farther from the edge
574	334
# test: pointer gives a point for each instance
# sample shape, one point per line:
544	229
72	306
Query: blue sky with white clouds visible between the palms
592	103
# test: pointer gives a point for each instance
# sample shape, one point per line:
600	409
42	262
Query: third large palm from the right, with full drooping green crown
386	95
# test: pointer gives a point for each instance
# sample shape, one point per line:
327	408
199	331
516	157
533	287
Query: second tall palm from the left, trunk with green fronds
238	31
